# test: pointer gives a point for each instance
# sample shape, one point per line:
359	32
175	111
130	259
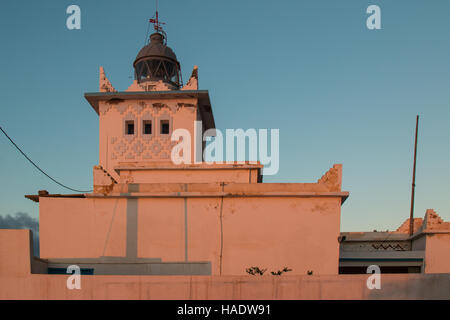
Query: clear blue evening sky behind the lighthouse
338	92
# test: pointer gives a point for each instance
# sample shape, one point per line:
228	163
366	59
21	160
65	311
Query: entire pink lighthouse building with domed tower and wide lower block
148	214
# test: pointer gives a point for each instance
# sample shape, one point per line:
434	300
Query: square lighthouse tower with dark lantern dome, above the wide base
136	125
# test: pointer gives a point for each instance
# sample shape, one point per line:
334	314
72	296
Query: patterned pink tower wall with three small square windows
115	146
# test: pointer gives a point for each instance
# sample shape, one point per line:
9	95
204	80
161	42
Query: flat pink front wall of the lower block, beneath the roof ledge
235	233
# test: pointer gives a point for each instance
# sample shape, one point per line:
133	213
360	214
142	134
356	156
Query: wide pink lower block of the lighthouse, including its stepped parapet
233	226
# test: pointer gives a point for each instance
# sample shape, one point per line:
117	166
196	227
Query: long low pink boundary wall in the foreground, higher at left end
17	282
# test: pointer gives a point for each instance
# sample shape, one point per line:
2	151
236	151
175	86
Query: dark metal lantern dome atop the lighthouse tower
157	62
